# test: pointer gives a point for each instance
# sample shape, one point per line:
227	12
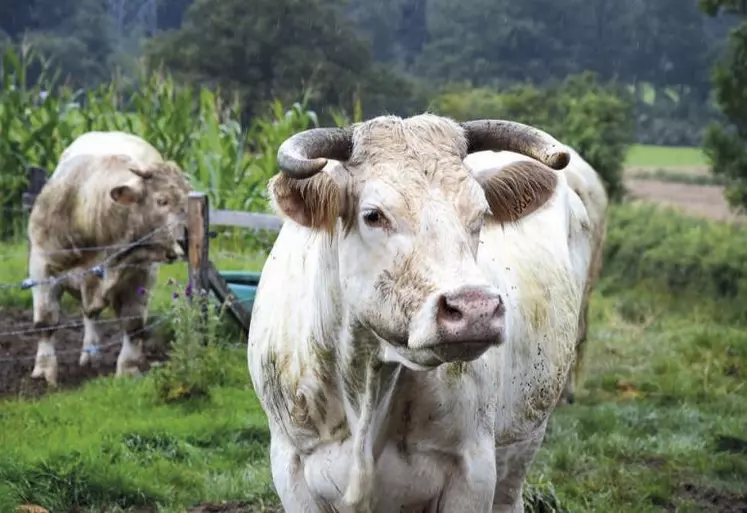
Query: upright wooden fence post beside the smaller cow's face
198	245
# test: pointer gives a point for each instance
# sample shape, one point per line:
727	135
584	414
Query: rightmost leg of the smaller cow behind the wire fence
133	315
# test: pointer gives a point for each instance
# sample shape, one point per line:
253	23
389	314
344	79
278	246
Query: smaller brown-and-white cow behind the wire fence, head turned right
108	191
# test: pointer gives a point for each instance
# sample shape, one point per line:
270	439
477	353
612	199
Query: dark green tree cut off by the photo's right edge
725	144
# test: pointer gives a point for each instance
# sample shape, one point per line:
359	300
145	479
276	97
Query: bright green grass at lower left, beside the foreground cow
111	443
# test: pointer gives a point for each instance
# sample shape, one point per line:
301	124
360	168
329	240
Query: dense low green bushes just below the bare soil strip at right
671	253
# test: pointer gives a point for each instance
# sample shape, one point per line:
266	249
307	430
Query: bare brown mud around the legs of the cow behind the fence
18	348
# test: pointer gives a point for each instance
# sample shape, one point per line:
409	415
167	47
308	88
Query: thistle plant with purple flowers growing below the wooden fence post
195	363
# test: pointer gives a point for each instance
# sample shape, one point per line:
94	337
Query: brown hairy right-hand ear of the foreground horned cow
518	189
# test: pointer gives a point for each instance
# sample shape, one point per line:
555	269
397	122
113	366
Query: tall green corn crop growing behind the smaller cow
198	128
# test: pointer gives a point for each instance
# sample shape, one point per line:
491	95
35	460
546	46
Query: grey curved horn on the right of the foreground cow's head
501	135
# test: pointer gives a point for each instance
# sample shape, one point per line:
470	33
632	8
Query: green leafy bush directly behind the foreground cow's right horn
596	119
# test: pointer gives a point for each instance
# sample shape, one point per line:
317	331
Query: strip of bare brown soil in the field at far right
700	200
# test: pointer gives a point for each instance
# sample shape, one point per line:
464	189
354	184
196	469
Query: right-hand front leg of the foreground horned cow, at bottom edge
472	486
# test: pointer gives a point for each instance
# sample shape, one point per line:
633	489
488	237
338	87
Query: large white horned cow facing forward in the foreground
415	321
